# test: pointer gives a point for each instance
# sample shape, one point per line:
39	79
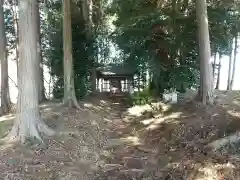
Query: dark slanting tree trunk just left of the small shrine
87	9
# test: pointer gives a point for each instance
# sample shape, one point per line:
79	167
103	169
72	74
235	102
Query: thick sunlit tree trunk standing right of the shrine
206	86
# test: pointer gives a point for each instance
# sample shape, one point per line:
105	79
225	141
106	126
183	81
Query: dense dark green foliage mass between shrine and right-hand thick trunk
159	39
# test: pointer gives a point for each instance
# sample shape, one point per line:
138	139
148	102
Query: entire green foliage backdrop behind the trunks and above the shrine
158	36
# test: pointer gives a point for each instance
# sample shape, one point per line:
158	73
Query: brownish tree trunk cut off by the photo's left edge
5	96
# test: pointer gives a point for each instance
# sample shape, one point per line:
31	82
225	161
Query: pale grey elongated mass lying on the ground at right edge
216	145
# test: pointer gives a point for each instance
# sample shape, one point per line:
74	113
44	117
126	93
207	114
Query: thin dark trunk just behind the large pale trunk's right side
41	96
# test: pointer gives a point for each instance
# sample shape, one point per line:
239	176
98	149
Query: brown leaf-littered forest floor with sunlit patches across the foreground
103	142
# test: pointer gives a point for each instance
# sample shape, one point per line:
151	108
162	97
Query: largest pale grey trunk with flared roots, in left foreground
28	121
